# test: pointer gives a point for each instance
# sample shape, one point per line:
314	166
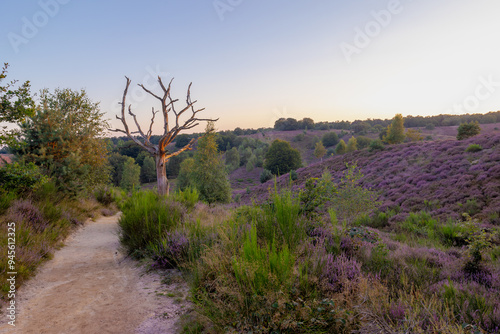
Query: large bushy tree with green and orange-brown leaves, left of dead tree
64	138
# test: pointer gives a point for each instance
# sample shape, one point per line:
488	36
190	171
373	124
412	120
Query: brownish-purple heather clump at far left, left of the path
25	210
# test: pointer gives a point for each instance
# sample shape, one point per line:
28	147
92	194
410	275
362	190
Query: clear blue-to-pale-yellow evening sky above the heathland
254	61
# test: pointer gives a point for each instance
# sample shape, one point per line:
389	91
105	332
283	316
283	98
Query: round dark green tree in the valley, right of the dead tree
282	158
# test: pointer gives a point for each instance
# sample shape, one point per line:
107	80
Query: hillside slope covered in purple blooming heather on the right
437	176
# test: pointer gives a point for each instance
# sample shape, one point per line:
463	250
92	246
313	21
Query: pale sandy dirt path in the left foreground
90	287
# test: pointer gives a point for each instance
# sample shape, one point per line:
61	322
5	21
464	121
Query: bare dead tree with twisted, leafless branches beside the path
141	138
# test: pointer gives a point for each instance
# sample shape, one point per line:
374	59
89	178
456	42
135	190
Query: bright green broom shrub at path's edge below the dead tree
145	218
